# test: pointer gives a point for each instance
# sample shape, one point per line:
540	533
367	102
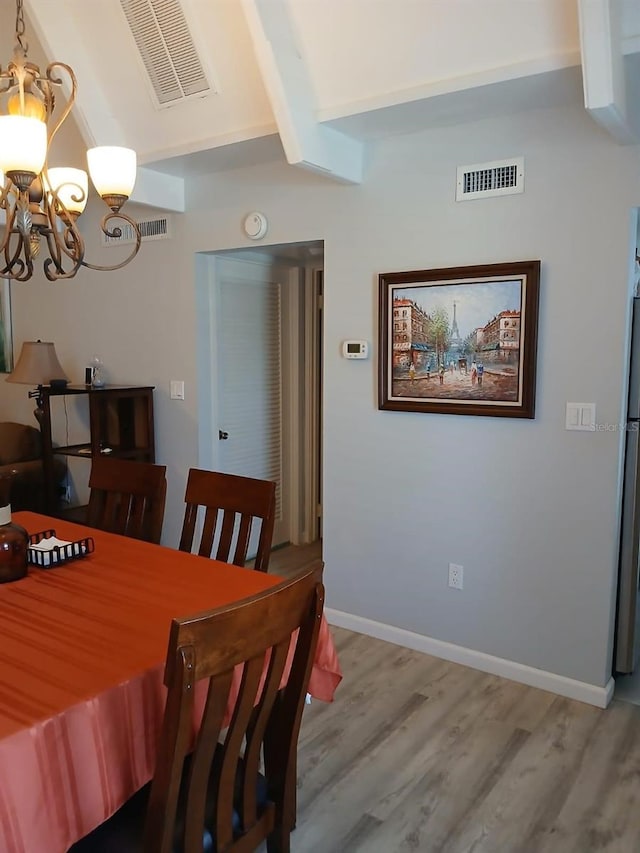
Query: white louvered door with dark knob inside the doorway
252	397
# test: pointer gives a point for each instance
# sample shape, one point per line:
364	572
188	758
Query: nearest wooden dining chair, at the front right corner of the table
214	795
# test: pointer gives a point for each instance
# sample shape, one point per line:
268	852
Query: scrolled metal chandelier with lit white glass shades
42	204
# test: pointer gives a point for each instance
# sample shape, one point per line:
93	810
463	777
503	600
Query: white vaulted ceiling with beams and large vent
315	81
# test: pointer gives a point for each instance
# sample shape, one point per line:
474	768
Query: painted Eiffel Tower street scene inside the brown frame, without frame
457	341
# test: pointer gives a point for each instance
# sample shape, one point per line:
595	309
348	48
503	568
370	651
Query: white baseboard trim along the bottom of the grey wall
569	687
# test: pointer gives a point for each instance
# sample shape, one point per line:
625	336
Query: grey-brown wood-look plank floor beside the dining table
418	754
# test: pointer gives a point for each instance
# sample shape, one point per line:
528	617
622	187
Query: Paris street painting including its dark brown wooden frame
460	340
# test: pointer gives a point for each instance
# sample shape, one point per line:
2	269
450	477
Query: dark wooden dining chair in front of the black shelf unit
127	497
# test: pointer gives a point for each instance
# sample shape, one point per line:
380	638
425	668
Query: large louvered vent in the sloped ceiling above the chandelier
167	50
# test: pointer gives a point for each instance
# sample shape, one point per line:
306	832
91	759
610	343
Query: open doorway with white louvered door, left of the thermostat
259	374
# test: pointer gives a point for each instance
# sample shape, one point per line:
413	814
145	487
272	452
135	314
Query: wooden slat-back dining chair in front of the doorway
232	505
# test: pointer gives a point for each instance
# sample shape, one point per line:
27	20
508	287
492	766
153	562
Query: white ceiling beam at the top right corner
606	85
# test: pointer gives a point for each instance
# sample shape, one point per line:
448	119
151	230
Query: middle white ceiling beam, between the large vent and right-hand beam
288	85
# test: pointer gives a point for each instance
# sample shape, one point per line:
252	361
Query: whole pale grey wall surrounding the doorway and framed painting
529	509
